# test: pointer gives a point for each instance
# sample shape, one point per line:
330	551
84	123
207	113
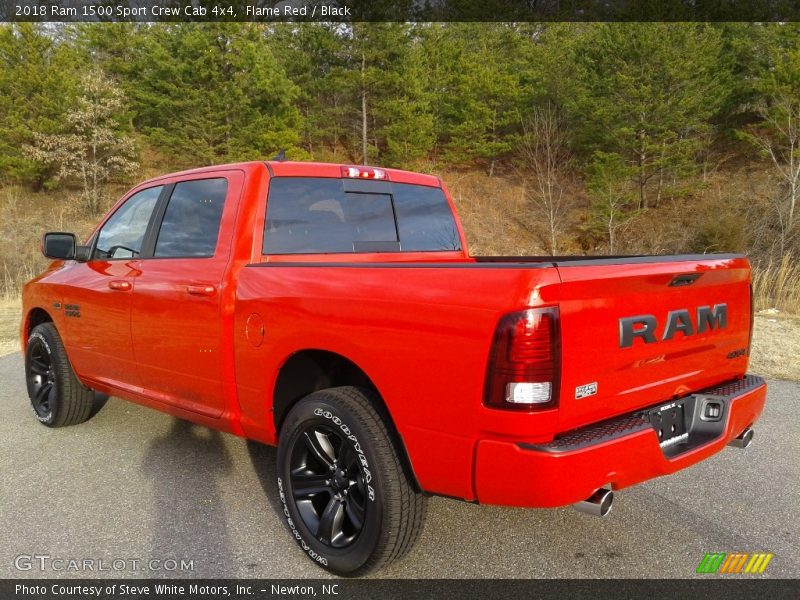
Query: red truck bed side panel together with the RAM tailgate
423	330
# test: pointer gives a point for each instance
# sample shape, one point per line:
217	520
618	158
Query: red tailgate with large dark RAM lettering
636	332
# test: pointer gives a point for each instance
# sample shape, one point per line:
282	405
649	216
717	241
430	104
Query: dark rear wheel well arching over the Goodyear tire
313	370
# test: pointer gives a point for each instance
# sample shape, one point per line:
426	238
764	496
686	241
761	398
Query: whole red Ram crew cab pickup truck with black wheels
335	312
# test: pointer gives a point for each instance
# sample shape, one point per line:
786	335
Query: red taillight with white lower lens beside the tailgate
524	361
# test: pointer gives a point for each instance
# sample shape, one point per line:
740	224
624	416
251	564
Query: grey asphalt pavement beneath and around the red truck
134	485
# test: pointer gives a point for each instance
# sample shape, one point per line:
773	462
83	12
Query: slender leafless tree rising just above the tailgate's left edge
547	160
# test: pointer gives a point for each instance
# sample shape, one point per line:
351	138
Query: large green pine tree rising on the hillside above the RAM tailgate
647	91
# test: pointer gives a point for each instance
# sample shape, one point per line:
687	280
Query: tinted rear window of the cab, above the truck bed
320	215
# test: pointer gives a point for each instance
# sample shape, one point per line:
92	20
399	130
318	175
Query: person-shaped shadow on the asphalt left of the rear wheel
185	466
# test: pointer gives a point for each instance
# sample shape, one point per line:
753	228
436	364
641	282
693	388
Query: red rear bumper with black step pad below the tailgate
619	452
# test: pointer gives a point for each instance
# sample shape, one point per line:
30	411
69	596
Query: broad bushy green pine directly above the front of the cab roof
213	92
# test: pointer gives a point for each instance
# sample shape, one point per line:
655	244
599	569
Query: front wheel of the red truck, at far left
57	397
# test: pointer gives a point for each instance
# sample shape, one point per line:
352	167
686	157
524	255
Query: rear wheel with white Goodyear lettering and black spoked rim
346	498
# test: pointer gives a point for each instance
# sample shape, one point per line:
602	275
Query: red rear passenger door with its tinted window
178	311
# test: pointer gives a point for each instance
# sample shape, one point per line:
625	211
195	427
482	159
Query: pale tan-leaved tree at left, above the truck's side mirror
93	149
